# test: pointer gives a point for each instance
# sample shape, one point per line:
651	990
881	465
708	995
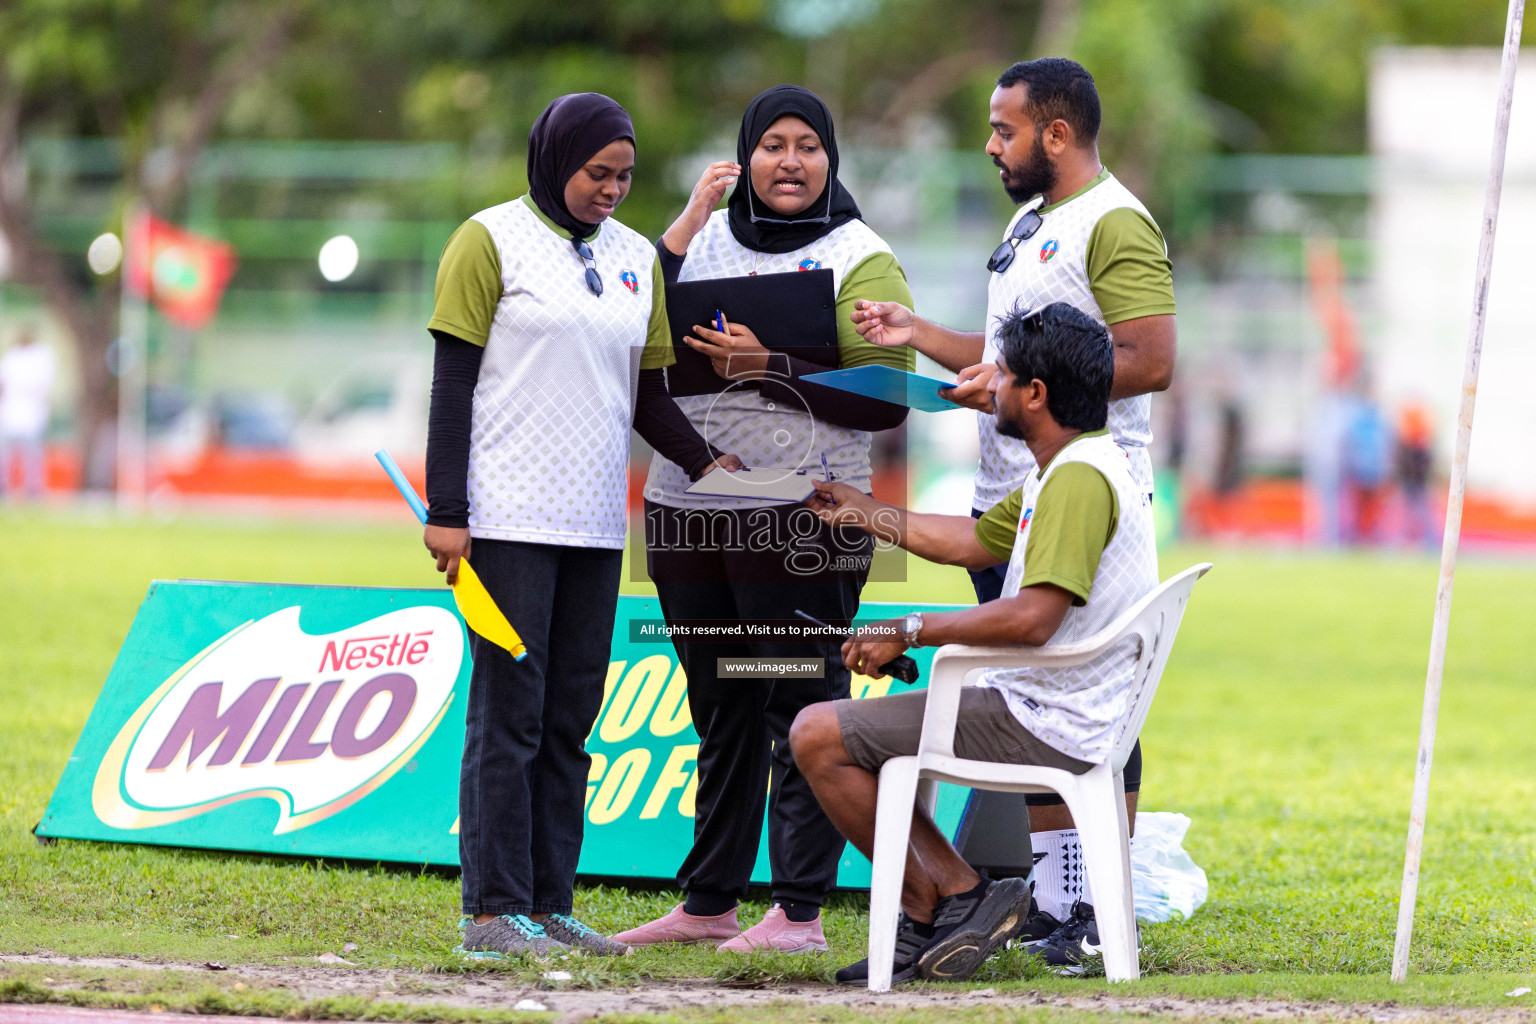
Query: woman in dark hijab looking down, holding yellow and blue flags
528	455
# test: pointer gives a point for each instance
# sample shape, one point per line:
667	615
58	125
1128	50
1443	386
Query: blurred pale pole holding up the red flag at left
133	377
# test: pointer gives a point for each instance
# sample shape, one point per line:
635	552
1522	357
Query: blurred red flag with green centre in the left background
180	273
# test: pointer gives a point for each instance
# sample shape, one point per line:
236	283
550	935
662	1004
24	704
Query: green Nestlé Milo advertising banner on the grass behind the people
329	722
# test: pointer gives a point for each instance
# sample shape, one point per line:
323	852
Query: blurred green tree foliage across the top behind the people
165	78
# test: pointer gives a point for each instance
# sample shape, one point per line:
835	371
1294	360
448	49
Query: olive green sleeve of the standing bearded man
1128	268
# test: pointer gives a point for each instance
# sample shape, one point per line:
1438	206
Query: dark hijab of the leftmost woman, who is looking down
571	131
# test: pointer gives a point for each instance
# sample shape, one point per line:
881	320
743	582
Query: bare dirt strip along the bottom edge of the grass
574	1005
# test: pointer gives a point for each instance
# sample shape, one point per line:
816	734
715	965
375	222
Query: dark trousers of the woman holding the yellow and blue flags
523	782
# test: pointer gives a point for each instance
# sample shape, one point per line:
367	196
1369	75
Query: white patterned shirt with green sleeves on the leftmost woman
555	400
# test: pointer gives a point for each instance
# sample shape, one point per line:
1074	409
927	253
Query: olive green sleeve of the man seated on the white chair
1076	517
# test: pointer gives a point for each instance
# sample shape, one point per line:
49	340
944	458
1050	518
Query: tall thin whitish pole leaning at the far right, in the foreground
1458	489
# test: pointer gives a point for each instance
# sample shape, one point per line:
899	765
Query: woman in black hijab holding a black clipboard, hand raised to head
764	561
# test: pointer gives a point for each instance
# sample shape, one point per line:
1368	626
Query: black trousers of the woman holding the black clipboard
758	564
